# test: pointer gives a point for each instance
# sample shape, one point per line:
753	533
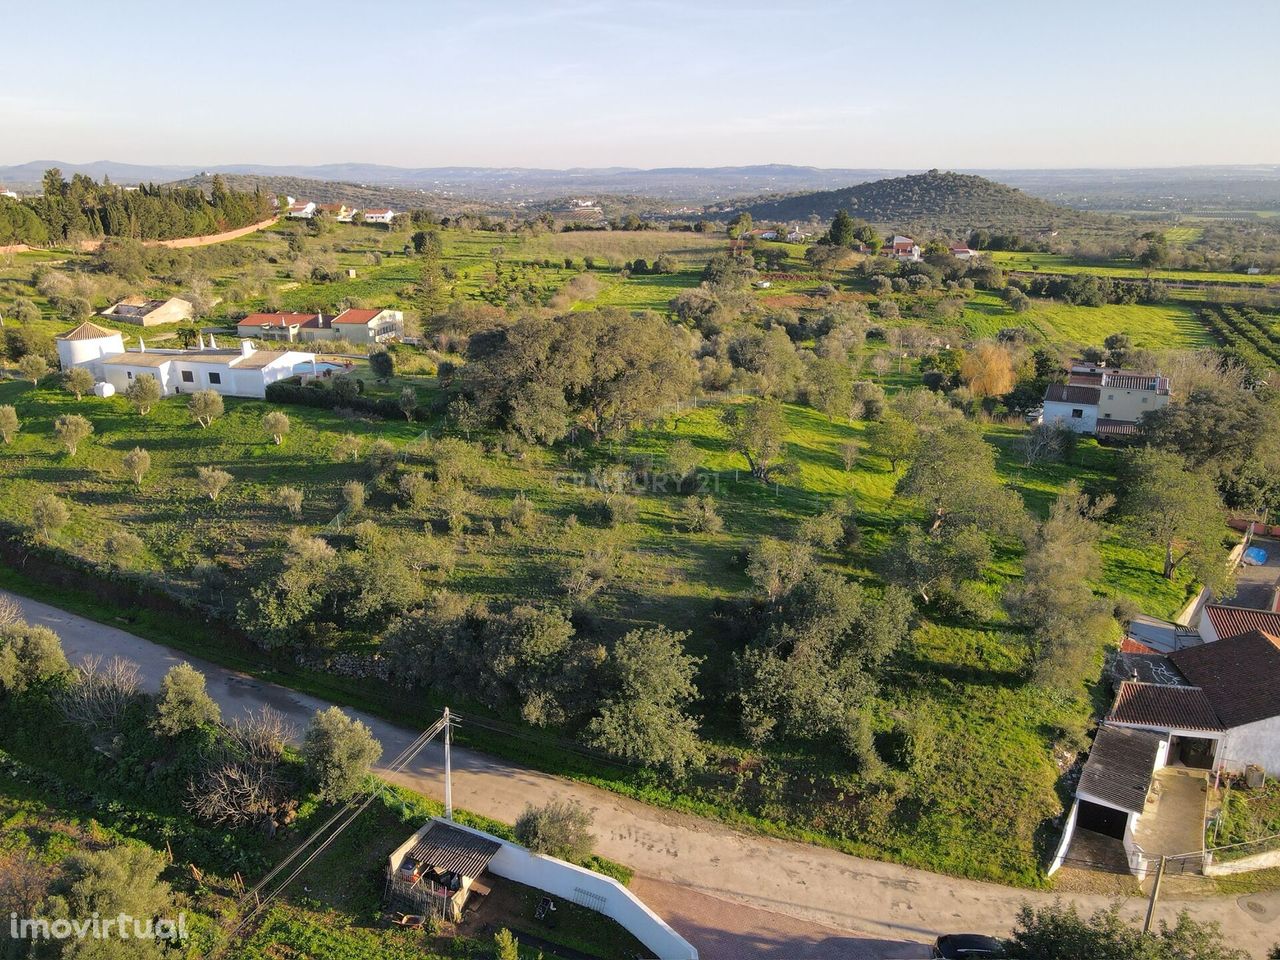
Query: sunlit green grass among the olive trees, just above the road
967	674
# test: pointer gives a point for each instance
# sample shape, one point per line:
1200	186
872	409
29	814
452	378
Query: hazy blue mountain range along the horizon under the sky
1185	189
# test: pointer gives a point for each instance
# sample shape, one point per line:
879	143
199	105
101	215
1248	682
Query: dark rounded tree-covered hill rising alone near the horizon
943	202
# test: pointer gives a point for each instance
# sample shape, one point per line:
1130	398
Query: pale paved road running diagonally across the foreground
733	894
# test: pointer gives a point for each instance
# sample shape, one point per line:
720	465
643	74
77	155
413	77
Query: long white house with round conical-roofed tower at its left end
243	372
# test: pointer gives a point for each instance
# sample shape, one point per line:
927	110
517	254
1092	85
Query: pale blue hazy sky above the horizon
563	84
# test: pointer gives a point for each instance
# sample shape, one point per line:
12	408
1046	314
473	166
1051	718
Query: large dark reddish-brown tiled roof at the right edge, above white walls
1241	676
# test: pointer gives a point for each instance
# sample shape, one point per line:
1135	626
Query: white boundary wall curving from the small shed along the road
589	889
